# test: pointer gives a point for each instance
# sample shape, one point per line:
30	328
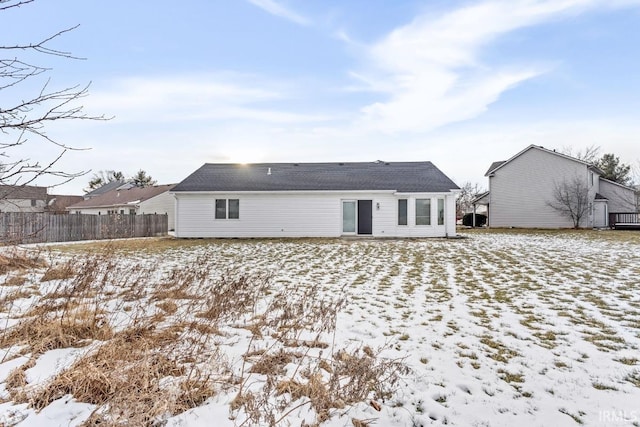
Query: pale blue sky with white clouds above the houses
458	83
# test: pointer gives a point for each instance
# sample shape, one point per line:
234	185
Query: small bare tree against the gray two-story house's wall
571	199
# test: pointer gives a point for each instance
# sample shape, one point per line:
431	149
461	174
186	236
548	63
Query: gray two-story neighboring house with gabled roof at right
523	188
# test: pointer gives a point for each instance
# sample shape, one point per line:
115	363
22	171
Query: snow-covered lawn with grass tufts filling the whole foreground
496	329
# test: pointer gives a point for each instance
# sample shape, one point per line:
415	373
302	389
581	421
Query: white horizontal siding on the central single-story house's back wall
310	214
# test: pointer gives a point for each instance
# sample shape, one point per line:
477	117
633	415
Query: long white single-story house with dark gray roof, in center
381	199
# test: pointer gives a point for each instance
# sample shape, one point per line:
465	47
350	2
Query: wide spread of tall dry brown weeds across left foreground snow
151	338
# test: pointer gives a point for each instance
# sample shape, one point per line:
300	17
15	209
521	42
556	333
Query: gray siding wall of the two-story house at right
522	188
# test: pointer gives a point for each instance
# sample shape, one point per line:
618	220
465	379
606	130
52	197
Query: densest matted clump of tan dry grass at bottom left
137	377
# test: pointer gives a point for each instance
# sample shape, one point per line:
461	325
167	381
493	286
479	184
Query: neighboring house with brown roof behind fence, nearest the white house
130	200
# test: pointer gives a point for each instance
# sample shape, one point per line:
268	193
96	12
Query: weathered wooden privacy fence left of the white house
23	227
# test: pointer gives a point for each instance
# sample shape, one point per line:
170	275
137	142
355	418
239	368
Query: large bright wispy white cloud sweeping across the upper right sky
431	70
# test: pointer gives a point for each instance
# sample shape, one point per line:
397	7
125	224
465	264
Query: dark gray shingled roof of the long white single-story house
396	176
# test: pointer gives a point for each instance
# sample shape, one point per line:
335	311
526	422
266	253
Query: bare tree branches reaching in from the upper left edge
23	121
